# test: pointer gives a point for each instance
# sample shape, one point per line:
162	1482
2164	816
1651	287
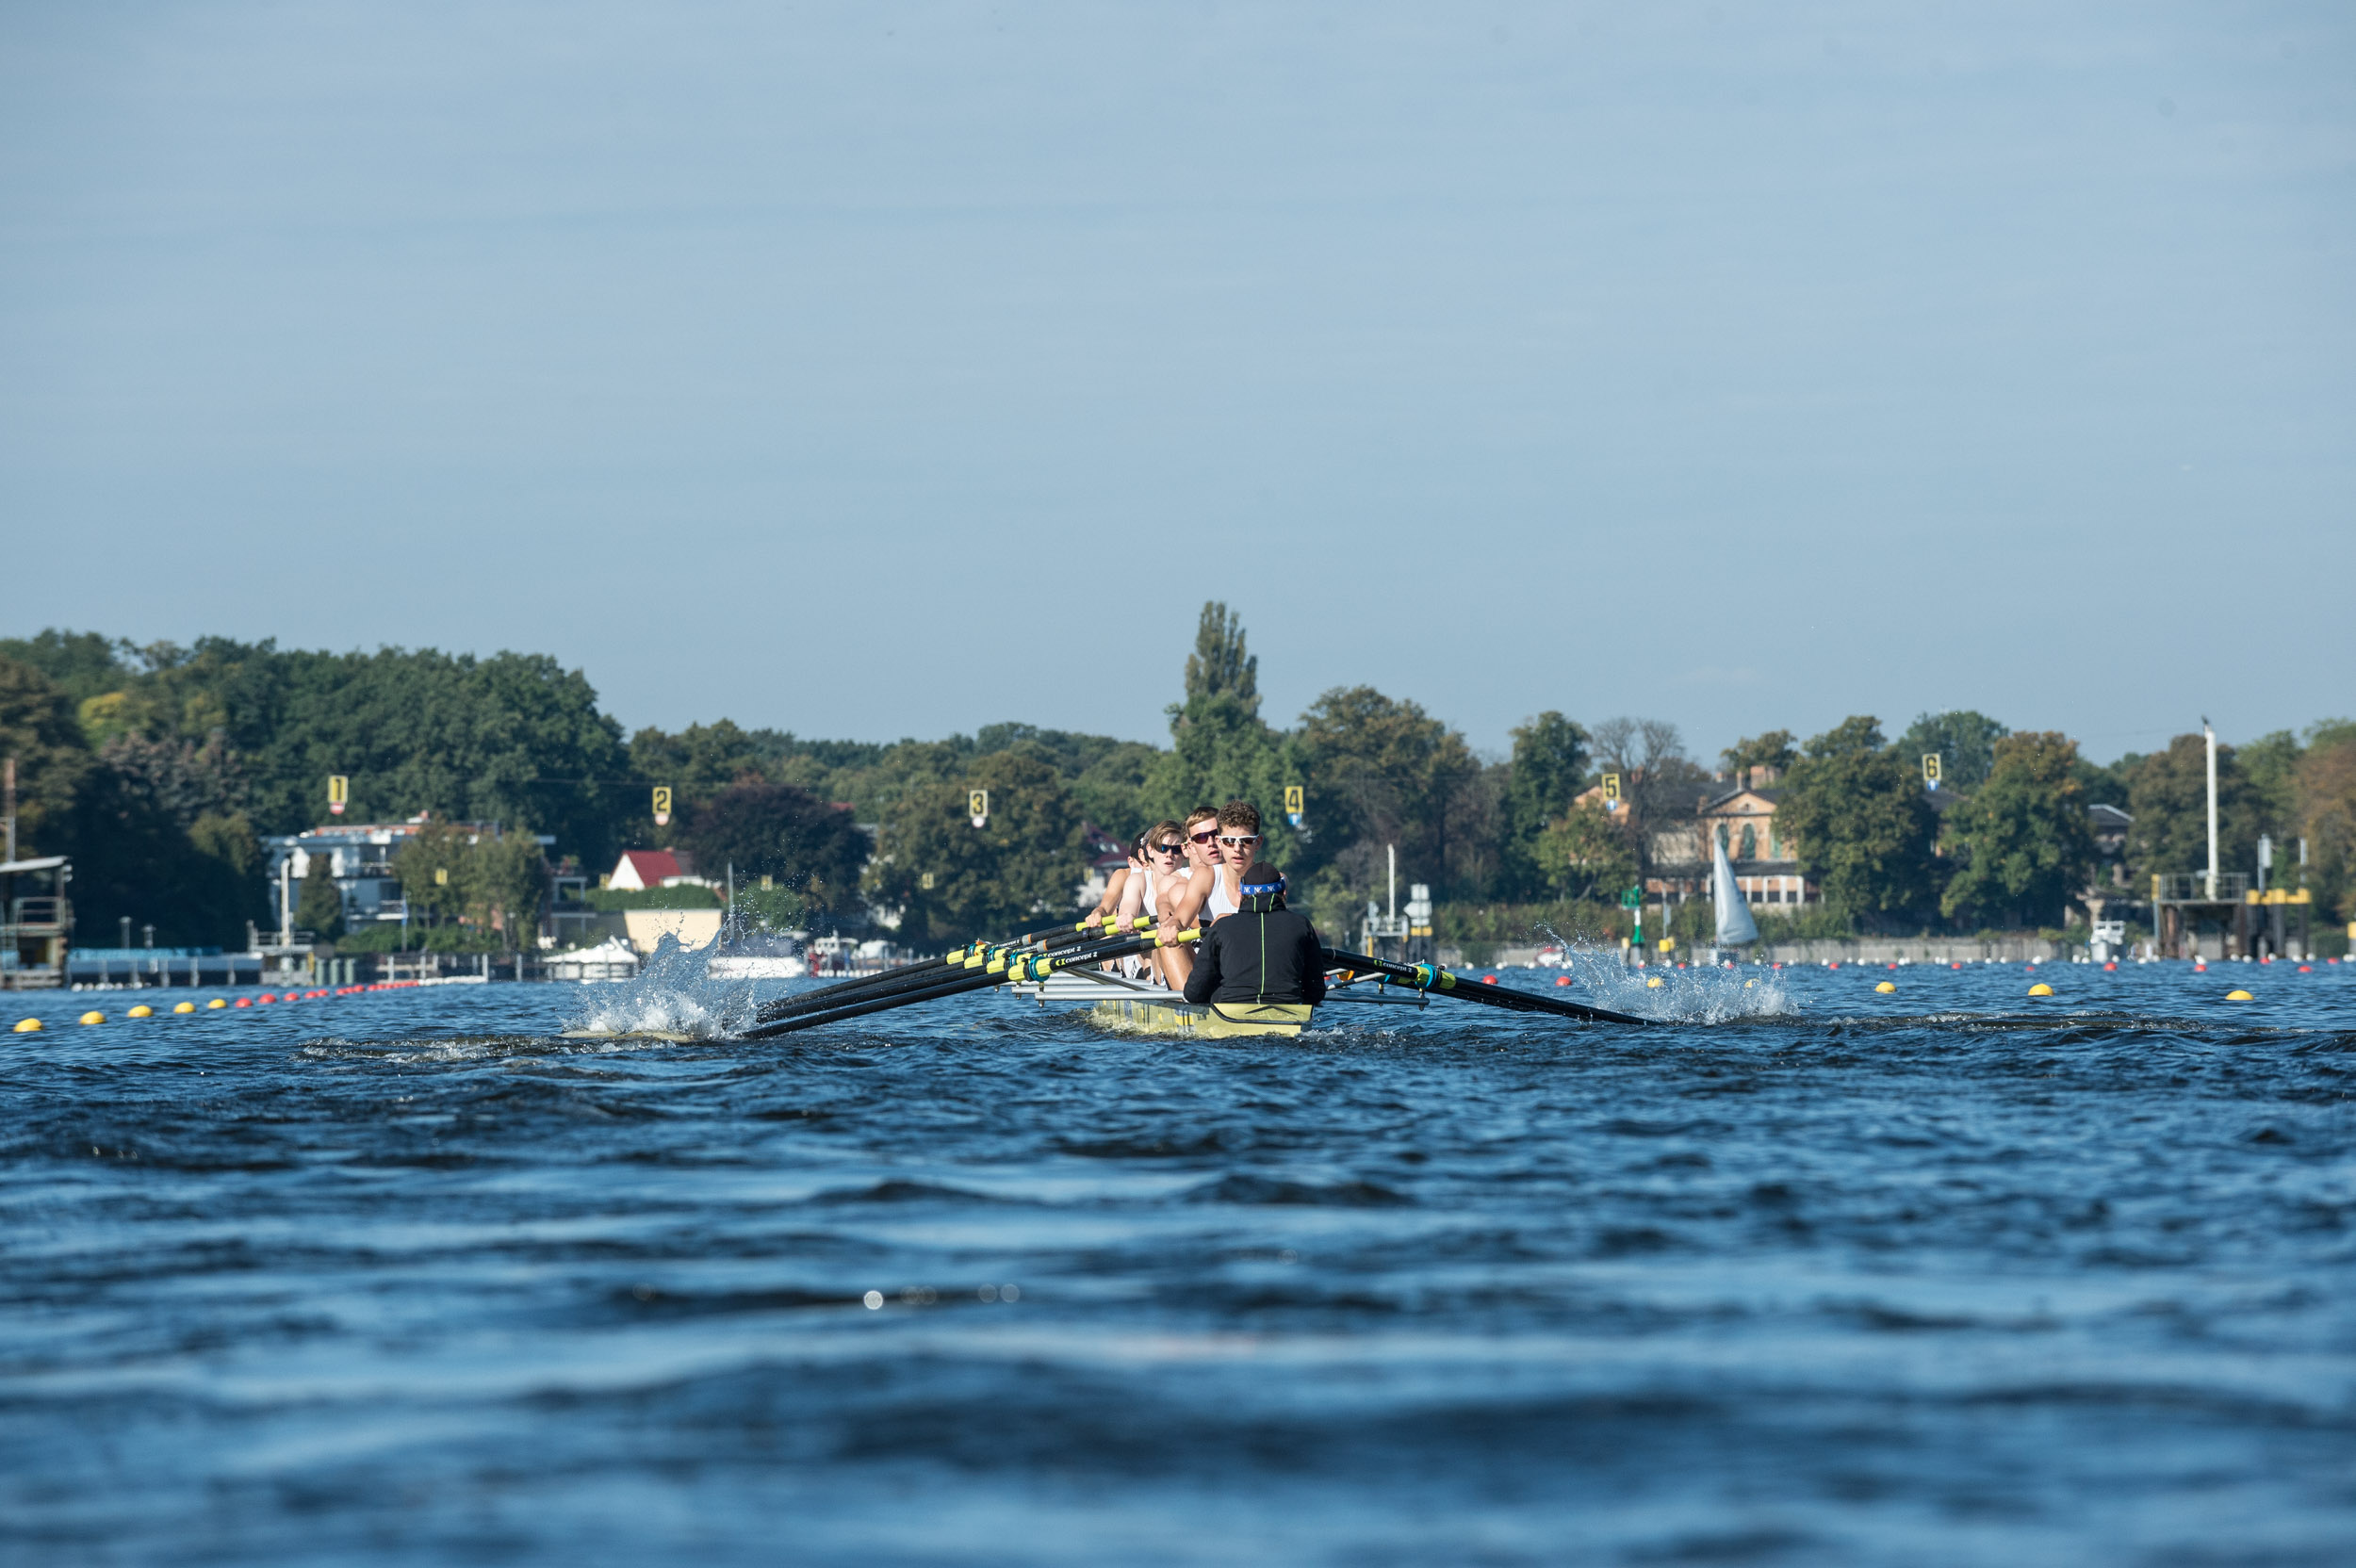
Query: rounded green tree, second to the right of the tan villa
2023	842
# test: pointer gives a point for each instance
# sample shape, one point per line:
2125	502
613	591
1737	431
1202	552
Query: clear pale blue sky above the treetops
899	368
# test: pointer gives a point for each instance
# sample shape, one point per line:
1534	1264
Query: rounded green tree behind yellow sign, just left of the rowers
955	882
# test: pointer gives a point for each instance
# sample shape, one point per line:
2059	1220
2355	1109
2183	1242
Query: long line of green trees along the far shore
161	769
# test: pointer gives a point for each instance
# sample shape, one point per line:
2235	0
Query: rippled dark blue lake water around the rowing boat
1943	1277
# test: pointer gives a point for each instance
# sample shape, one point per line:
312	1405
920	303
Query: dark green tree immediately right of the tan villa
1860	825
